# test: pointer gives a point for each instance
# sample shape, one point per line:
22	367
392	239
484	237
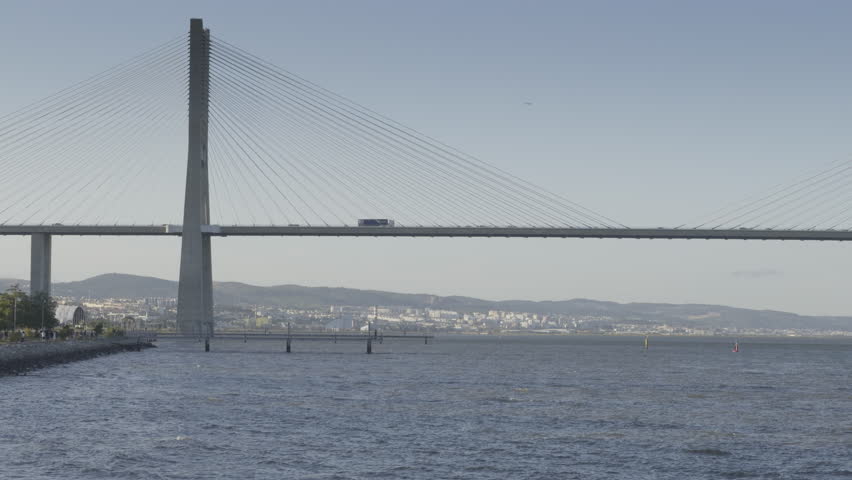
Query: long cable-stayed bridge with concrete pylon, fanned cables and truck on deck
272	154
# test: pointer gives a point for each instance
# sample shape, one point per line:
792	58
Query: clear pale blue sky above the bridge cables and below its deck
653	113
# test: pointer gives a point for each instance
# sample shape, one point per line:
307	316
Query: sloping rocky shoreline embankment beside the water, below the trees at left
19	358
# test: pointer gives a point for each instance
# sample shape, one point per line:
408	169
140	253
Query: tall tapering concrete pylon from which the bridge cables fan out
195	287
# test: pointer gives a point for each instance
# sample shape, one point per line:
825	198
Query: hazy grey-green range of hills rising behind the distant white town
117	285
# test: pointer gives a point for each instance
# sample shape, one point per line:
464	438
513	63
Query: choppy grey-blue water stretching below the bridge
463	407
